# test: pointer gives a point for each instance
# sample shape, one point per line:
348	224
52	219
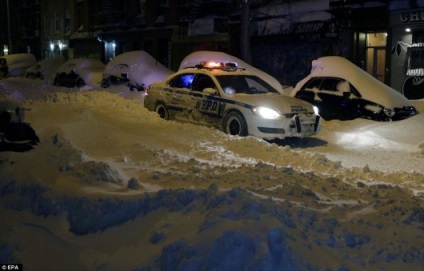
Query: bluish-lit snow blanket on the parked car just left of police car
142	67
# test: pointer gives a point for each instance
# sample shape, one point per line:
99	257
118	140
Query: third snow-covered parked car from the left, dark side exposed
79	72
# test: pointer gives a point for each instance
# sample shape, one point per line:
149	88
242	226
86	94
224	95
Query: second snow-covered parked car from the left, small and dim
44	69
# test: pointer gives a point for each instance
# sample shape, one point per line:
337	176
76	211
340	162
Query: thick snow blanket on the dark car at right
369	87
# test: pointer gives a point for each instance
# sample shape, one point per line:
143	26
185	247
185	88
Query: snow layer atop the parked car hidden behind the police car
196	58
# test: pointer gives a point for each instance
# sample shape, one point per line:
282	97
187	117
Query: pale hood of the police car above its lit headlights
282	103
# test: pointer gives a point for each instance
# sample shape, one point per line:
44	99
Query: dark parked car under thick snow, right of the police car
341	90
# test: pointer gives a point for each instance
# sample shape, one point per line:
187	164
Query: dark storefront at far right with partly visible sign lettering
407	48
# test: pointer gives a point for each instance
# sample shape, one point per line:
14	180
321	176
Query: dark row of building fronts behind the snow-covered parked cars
285	36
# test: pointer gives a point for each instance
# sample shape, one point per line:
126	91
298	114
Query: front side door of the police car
203	100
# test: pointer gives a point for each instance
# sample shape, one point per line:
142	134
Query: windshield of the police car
246	84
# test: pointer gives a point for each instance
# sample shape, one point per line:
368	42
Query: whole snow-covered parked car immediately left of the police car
136	69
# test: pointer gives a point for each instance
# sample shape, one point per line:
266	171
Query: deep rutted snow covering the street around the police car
112	186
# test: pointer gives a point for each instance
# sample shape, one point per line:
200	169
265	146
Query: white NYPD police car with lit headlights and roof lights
231	99
